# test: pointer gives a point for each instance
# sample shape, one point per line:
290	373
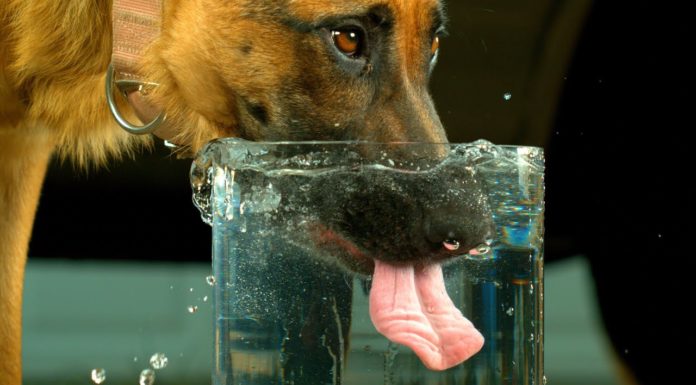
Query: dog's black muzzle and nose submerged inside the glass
403	216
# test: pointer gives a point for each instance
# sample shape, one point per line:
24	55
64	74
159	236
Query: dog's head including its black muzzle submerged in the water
325	70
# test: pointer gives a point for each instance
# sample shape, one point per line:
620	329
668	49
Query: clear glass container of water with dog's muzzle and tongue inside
331	261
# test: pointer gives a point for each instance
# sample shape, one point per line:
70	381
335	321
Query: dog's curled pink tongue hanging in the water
410	306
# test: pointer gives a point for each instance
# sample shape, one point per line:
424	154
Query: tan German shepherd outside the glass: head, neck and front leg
254	69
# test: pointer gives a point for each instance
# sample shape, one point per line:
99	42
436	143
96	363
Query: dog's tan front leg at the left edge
24	156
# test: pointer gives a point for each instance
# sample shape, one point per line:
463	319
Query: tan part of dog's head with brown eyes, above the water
299	70
